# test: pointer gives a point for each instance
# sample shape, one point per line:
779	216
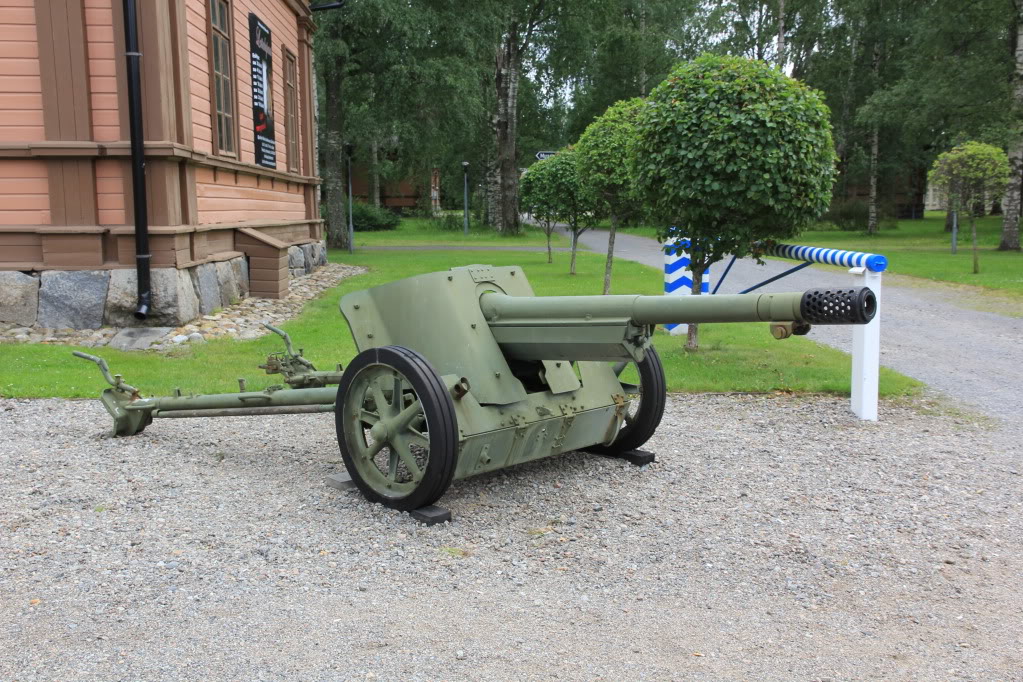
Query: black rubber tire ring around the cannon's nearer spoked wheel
439	411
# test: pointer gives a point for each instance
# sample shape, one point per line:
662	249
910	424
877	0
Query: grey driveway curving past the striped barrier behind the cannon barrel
939	334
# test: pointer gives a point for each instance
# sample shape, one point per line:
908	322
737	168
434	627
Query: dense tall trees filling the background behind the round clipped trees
413	85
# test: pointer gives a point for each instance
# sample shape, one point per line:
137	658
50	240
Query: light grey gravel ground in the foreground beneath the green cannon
777	539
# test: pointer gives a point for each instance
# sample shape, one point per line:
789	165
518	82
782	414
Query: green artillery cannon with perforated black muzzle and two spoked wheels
466	372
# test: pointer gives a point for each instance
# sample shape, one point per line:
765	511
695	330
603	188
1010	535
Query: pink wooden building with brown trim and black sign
230	147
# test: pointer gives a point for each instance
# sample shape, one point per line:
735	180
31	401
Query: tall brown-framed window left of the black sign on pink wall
221	71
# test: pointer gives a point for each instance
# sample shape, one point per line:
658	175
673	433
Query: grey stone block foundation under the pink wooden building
93	299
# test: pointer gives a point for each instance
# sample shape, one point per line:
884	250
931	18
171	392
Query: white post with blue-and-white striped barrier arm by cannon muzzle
866	338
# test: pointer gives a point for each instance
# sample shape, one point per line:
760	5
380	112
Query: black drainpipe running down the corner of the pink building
143	256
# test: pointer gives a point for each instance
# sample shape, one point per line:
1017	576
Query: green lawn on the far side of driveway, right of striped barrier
922	249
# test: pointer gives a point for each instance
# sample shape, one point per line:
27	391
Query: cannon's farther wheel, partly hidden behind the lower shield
645	410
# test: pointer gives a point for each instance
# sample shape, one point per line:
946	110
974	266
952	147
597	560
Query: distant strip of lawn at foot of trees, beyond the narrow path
429	233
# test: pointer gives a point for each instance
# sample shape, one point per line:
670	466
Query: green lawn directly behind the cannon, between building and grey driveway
734	357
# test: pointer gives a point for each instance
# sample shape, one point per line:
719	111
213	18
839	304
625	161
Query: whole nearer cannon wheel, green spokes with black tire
396	428
